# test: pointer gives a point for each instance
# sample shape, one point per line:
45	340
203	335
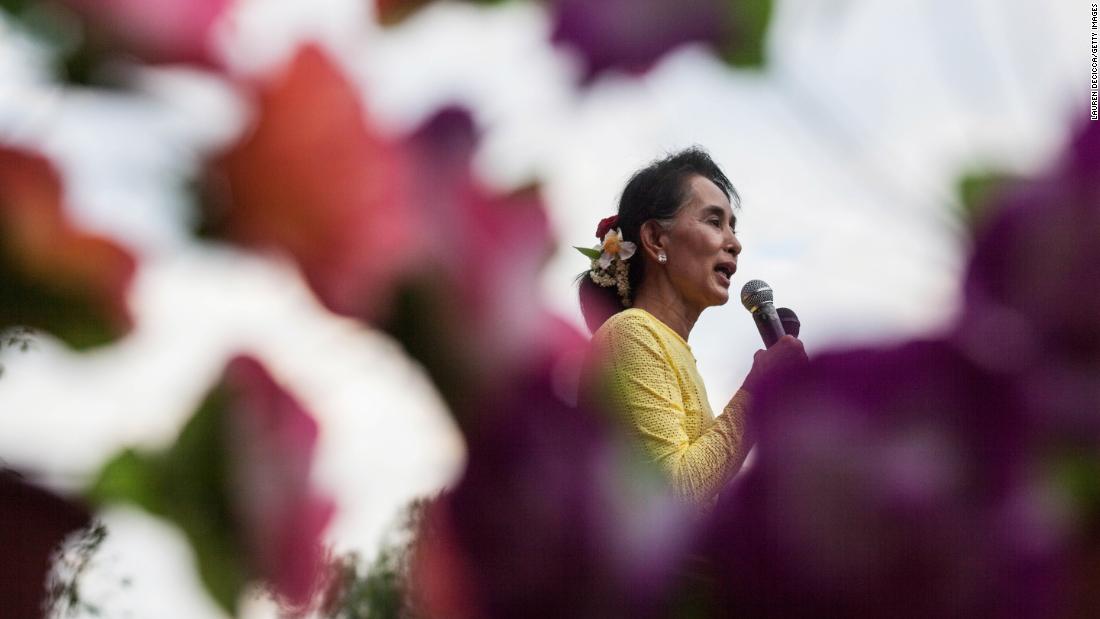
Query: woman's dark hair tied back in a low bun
655	192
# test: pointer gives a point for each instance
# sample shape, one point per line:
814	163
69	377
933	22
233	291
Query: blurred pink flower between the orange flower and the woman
474	301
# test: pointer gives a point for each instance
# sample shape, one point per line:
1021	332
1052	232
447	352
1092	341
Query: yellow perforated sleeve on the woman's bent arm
645	388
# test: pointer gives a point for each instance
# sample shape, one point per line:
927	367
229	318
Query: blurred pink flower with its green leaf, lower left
237	482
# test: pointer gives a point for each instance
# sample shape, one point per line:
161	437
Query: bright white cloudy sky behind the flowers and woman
849	146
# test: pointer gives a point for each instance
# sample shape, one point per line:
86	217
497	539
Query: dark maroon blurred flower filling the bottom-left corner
34	524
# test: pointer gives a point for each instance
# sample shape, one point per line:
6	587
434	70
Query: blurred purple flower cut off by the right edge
1033	290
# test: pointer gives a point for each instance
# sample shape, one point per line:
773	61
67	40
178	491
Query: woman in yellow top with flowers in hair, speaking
669	255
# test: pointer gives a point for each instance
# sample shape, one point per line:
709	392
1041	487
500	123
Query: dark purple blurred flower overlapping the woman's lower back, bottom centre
554	516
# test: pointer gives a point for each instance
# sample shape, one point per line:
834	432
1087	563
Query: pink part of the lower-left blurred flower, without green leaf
272	440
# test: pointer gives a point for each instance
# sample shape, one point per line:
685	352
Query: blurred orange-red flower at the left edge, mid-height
54	277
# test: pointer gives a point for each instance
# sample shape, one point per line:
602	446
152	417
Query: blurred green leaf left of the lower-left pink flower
188	485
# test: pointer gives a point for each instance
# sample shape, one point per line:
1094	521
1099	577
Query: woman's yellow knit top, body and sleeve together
655	383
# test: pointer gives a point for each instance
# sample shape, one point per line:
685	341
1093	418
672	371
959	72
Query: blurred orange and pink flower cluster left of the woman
398	233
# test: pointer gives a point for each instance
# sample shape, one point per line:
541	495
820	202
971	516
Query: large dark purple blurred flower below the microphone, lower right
889	484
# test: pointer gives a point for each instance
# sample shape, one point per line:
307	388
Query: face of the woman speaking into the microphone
702	246
